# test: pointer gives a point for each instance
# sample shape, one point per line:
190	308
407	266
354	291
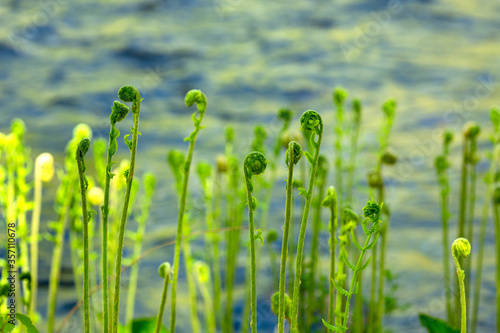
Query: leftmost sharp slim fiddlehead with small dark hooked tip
82	149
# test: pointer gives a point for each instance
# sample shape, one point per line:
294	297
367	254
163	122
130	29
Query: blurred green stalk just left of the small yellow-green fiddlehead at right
442	165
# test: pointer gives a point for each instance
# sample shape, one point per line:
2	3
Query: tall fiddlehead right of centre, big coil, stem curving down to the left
310	120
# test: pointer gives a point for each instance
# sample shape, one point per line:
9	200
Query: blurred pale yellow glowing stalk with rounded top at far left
44	170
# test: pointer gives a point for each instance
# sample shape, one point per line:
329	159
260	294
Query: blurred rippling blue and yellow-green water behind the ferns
62	62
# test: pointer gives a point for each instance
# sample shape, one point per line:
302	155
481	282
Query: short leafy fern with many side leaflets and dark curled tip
371	224
